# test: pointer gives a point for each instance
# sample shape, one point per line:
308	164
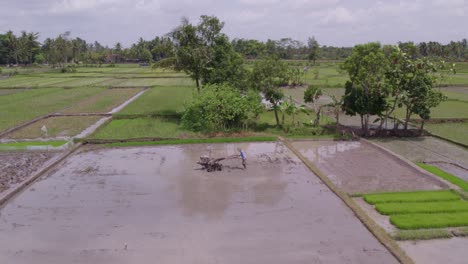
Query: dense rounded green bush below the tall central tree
220	108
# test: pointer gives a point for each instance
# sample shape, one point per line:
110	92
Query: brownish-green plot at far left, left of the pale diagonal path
62	126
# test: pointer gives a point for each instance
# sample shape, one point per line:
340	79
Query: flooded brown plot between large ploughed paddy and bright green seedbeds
358	167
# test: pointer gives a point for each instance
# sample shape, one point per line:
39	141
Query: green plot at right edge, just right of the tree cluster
456	132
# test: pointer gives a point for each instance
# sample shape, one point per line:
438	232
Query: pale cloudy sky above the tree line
331	22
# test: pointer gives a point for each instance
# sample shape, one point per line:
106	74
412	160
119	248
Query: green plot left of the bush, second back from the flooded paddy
160	101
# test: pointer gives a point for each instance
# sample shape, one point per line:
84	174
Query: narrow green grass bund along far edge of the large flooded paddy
194	141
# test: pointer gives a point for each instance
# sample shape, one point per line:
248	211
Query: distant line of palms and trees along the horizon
24	48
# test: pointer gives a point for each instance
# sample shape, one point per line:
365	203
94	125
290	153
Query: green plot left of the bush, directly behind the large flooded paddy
141	128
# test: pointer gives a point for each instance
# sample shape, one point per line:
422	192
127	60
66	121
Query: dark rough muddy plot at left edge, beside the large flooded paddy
15	167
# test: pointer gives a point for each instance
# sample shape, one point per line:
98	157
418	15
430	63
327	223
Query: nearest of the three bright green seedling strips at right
419	221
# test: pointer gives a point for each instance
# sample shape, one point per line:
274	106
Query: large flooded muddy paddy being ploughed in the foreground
153	204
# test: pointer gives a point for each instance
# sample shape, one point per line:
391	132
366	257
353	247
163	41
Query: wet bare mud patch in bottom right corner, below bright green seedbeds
437	251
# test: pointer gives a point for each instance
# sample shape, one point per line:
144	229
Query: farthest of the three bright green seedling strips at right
412	197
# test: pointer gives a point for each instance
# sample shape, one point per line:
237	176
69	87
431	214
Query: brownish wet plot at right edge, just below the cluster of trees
447	156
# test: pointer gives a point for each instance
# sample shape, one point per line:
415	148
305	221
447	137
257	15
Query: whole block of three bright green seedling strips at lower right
422	210
